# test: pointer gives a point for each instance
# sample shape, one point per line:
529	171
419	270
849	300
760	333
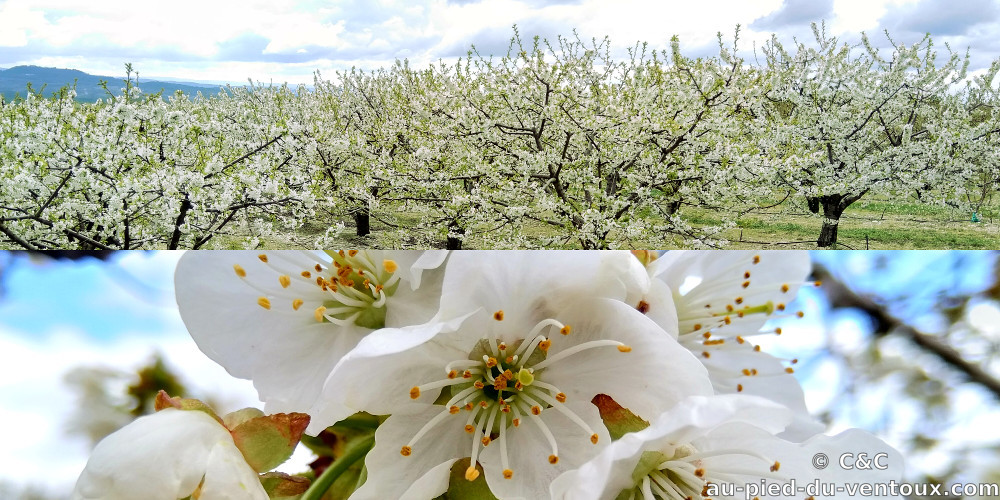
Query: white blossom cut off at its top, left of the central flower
284	319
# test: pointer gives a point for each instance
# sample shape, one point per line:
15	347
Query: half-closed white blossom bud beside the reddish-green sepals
169	455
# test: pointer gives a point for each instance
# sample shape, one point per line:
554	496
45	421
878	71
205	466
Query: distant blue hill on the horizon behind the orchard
14	82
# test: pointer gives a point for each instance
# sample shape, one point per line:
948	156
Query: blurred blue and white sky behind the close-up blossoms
57	315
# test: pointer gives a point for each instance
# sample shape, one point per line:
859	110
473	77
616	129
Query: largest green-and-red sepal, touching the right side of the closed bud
266	442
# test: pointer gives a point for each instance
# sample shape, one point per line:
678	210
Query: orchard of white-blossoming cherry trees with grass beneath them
555	145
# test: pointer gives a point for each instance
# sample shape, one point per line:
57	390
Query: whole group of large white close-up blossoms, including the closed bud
567	375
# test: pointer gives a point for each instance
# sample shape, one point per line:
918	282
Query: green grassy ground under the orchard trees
868	224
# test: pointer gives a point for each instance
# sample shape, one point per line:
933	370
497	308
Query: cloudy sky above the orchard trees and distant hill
287	40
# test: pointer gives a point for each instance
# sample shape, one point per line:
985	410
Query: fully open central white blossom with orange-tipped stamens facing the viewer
510	384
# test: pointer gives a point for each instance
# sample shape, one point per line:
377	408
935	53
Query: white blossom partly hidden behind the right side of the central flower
720	301
